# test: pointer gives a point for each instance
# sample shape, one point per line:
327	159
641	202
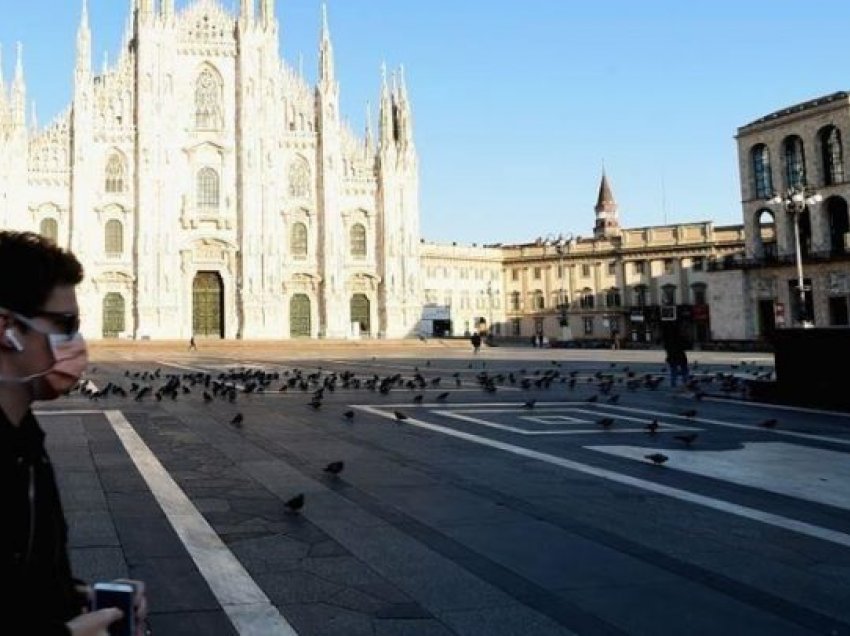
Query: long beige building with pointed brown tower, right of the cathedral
622	282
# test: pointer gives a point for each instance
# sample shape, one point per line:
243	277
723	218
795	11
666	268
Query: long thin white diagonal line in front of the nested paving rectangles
786	523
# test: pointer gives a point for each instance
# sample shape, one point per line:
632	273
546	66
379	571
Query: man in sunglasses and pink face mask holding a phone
42	356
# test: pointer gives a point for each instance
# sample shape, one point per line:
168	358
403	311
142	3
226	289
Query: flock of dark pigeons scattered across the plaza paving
227	385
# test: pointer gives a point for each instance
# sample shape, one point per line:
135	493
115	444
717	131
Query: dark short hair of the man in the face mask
31	267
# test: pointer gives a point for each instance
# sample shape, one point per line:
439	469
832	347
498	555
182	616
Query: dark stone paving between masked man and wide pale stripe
116	530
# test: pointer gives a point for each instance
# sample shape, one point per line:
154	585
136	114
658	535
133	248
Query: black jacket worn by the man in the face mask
40	595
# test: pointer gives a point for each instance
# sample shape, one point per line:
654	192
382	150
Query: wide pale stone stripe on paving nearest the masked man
247	606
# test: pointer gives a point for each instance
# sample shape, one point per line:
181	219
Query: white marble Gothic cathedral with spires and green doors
209	190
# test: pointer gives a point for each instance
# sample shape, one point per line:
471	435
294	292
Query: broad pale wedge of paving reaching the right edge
803	472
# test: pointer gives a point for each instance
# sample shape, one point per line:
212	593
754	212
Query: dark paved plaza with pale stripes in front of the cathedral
507	493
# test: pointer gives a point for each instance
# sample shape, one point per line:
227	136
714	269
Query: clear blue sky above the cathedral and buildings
518	103
